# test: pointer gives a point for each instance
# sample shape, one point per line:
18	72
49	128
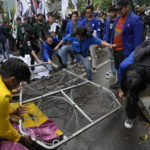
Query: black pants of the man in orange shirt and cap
118	57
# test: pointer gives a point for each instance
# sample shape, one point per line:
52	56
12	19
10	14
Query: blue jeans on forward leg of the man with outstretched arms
87	65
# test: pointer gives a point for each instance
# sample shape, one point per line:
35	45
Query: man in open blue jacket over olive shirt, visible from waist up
73	24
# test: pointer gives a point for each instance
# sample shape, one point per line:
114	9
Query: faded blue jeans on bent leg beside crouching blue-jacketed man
64	51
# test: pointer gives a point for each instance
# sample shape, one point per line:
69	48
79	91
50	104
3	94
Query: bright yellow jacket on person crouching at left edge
6	129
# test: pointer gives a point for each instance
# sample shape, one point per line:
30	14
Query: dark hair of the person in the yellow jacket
17	68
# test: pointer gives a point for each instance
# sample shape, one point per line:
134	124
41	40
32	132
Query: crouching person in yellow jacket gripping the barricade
12	73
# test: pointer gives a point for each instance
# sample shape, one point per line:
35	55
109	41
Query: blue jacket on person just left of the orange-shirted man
106	29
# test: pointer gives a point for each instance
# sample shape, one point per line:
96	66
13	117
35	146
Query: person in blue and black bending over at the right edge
134	73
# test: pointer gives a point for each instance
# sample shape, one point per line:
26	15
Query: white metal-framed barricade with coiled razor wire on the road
74	103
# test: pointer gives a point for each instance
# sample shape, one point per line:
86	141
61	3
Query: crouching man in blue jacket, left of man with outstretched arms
48	46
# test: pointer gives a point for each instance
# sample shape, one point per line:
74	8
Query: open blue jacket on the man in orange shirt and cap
132	33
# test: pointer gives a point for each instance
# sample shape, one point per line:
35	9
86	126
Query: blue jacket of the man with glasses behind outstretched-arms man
95	25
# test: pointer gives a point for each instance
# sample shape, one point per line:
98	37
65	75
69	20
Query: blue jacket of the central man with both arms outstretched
82	47
